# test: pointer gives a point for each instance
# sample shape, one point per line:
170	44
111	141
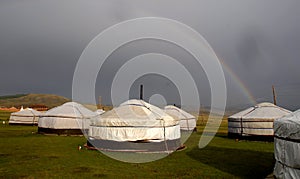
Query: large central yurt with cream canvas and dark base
135	126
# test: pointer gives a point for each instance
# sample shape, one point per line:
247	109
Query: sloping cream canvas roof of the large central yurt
136	113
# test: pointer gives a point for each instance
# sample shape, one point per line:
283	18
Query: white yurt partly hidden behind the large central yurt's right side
187	121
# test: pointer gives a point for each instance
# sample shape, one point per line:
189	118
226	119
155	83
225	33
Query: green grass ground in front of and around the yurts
26	154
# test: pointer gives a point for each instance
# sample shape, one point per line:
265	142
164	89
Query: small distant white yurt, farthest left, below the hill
26	116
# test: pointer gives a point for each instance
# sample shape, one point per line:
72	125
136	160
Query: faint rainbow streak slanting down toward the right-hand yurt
238	81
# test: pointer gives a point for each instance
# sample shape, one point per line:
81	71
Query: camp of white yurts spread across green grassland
73	141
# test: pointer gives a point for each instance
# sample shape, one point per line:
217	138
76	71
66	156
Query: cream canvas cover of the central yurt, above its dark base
135	120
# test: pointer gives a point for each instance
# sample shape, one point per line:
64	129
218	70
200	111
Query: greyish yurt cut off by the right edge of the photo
287	146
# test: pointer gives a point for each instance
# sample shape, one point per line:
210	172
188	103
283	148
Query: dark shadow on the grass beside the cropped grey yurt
241	163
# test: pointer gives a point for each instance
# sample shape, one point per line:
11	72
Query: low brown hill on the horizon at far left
26	100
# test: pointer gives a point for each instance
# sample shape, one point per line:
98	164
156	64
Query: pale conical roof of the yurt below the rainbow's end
263	111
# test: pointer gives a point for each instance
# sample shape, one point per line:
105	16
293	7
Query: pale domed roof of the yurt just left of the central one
70	109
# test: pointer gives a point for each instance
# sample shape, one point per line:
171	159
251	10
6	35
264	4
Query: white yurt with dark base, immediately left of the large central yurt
69	118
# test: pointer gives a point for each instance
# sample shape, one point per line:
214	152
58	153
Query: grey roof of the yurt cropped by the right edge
288	126
